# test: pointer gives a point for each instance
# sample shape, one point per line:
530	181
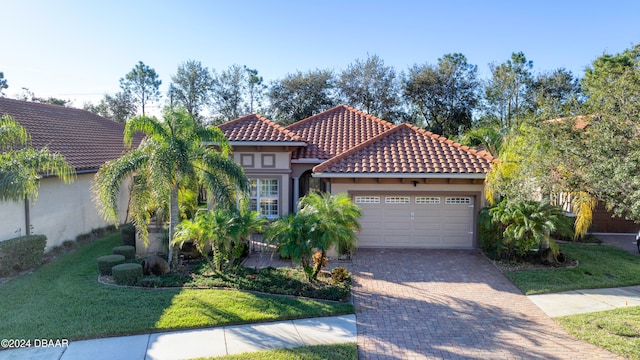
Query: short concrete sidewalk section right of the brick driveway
584	301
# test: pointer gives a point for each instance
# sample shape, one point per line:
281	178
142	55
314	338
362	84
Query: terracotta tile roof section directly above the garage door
407	149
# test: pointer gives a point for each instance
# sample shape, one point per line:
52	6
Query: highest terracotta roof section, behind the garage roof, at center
335	131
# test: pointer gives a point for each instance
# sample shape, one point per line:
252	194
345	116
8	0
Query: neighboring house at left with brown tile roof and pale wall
87	141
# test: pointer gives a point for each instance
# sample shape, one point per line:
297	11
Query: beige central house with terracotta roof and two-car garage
416	189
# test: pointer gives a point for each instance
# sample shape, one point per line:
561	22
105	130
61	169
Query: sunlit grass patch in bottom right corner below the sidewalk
616	330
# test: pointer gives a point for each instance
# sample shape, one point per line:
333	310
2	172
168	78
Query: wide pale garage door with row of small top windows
416	221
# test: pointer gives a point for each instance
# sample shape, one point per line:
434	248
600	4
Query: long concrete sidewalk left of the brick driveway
191	344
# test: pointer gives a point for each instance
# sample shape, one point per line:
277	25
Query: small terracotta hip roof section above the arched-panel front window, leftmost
255	128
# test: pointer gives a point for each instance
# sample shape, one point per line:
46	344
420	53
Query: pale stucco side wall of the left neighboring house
61	212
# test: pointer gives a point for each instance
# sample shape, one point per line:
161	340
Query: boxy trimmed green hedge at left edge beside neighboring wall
21	253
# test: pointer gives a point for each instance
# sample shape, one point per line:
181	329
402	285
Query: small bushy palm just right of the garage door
529	224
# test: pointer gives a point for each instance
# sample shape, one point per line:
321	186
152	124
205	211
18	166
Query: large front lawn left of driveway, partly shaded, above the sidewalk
63	299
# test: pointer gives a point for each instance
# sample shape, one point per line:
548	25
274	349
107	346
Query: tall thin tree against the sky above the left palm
143	83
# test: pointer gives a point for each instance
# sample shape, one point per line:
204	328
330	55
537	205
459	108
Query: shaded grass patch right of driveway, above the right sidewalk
600	266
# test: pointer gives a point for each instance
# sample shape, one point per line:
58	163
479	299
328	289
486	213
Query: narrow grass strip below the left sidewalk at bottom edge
348	351
